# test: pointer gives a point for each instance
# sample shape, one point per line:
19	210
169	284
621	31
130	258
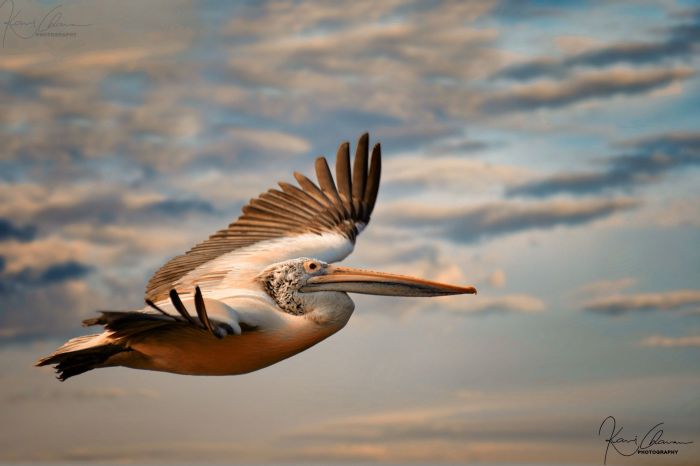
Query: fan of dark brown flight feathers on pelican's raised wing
341	207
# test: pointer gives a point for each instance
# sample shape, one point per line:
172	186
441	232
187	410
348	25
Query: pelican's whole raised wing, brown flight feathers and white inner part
320	221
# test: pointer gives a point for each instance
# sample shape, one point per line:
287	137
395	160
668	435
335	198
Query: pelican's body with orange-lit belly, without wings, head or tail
284	335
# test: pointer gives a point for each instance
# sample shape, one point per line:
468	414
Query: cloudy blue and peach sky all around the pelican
546	152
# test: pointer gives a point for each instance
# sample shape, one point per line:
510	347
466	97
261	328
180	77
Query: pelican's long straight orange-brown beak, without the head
379	283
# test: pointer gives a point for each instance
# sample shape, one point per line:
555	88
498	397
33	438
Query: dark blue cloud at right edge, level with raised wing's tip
648	161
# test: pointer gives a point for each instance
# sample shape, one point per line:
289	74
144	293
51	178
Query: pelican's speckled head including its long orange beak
293	284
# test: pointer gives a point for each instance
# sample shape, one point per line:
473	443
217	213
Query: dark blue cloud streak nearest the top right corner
679	43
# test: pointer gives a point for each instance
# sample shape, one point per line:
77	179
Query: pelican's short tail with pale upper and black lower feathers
80	355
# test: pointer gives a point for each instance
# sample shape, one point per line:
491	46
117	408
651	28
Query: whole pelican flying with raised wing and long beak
257	292
